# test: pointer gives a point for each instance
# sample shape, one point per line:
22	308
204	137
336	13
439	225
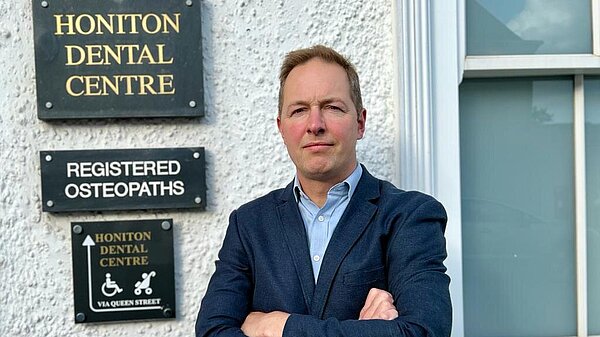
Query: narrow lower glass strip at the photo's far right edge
592	143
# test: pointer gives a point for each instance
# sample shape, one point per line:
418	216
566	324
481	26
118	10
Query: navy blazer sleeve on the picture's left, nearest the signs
229	295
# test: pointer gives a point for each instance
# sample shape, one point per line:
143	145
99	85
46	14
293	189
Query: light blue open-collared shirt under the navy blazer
321	222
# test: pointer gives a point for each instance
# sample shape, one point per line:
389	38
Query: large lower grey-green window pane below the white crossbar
516	139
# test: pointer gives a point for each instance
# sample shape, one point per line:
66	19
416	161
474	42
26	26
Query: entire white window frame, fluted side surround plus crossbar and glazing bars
431	56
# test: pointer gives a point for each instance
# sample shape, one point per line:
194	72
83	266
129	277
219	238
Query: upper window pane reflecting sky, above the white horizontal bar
503	27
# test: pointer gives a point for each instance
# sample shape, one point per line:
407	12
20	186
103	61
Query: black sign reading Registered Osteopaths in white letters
93	180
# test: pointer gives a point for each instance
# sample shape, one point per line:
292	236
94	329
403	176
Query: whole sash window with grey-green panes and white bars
529	114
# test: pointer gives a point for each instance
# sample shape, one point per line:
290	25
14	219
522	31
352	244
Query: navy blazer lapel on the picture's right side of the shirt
354	221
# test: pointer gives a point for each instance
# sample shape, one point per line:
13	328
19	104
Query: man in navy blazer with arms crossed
337	252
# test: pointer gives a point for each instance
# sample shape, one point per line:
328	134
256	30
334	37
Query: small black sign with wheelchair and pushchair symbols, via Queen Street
123	270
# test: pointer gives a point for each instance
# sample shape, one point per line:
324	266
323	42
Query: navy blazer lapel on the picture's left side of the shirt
292	227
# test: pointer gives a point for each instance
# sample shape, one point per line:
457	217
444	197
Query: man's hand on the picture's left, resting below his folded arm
260	324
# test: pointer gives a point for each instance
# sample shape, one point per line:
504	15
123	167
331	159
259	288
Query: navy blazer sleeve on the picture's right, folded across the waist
416	279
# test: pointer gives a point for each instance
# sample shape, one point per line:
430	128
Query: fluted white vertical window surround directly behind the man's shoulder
430	56
